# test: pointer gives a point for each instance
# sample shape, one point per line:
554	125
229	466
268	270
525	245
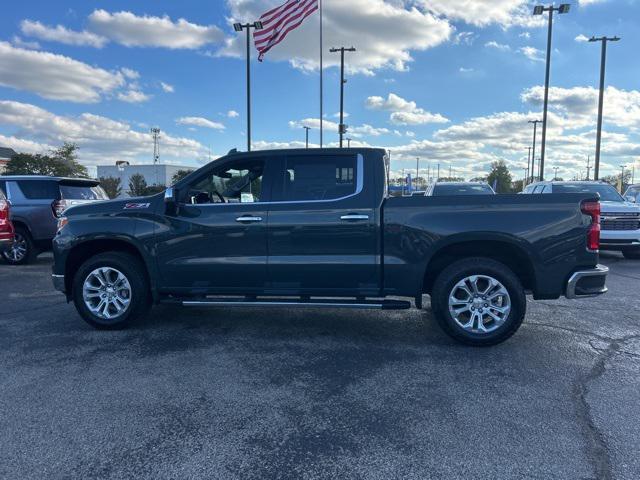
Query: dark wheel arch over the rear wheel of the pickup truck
508	253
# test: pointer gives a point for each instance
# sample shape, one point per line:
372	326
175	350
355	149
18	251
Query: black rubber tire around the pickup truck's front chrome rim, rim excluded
139	296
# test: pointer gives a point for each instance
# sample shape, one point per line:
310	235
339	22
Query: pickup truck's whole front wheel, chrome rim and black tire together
110	290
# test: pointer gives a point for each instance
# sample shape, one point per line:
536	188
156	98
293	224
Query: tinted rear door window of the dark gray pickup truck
313	178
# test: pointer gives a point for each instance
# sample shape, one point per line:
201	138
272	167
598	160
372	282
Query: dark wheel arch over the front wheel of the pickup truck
89	248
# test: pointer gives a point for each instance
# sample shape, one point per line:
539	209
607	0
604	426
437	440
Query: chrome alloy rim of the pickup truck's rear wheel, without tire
479	304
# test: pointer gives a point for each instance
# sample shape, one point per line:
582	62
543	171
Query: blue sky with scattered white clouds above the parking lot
452	82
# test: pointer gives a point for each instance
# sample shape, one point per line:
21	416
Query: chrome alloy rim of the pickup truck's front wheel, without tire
106	293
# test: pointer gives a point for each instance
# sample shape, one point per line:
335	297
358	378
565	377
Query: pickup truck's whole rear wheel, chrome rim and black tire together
478	301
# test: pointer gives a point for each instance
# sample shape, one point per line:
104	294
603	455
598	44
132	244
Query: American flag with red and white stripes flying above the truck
278	22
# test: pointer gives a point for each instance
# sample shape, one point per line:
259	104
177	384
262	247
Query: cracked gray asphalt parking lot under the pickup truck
246	393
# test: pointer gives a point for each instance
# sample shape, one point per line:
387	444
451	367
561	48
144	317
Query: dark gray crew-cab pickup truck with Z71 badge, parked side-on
315	228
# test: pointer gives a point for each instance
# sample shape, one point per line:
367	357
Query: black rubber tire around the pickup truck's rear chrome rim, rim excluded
456	272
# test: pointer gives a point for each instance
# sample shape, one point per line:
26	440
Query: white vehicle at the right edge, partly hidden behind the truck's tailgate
620	220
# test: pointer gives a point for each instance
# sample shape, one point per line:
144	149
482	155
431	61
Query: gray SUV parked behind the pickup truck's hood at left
36	204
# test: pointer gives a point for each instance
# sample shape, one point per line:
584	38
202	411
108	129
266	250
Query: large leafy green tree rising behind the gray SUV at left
59	163
